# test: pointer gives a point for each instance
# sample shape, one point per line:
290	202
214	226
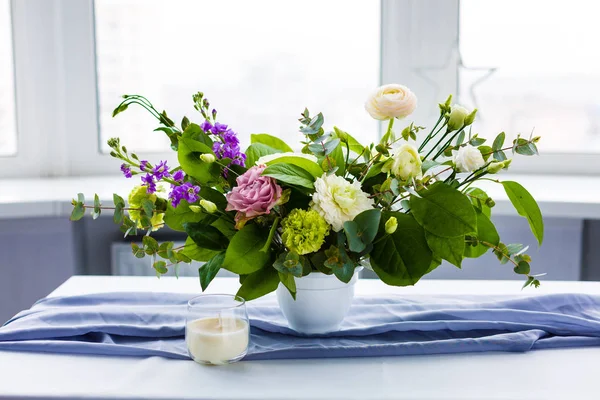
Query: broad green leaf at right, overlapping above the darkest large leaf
444	211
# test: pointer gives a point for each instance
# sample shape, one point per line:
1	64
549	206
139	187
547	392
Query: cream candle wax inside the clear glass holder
216	340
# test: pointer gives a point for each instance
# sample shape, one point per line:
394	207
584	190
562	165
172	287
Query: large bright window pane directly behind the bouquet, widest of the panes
259	63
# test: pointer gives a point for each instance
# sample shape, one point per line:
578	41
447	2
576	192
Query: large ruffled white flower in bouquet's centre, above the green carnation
338	200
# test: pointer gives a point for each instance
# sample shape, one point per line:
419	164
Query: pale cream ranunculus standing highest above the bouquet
391	101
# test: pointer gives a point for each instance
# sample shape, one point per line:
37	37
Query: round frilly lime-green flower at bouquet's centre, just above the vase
304	231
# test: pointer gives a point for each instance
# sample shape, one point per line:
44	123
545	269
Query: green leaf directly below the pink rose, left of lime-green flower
243	253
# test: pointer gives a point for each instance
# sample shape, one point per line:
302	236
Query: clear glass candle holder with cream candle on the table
217	330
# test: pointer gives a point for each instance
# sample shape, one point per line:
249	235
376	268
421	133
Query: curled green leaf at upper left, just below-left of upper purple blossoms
188	155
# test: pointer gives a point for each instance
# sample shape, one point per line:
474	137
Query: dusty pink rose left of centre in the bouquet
254	194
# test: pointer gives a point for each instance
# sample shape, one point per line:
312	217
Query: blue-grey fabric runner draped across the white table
153	324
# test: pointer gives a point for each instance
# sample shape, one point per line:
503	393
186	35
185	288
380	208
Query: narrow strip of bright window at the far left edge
8	128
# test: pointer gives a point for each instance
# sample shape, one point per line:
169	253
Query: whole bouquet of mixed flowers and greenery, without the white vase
273	215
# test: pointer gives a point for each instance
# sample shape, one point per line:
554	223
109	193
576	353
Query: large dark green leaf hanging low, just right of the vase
402	258
